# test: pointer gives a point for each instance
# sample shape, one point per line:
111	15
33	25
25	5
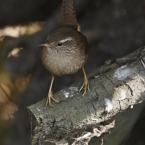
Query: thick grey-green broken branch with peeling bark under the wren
114	87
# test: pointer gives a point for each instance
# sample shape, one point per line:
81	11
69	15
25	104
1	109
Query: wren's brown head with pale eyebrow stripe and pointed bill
63	39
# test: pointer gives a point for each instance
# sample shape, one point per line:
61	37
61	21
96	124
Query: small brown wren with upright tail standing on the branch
66	49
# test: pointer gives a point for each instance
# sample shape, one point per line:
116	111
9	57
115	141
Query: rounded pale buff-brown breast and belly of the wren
63	62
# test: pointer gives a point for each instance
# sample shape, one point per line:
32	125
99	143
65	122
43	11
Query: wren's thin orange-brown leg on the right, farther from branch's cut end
85	83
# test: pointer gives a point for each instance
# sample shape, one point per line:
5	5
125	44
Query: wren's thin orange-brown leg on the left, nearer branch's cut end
50	94
